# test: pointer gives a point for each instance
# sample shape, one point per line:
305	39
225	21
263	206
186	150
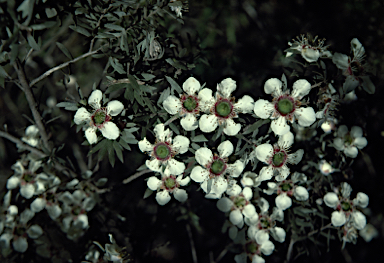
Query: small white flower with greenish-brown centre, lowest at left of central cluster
168	184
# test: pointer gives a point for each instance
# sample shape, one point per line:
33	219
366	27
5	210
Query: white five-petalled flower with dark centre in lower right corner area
346	209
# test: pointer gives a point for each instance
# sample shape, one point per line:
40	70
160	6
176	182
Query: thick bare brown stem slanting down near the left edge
32	104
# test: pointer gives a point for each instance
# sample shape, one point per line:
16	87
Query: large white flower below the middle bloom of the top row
211	173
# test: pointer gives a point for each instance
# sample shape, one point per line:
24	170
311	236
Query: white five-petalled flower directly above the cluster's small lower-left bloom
163	151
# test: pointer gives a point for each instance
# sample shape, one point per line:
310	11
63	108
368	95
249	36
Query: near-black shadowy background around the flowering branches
242	39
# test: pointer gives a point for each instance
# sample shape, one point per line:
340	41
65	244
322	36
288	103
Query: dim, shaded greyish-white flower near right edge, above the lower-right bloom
350	142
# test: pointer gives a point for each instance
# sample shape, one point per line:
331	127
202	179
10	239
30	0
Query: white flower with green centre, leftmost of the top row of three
188	105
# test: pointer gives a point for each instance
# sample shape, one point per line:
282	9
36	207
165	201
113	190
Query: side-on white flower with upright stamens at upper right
308	48
